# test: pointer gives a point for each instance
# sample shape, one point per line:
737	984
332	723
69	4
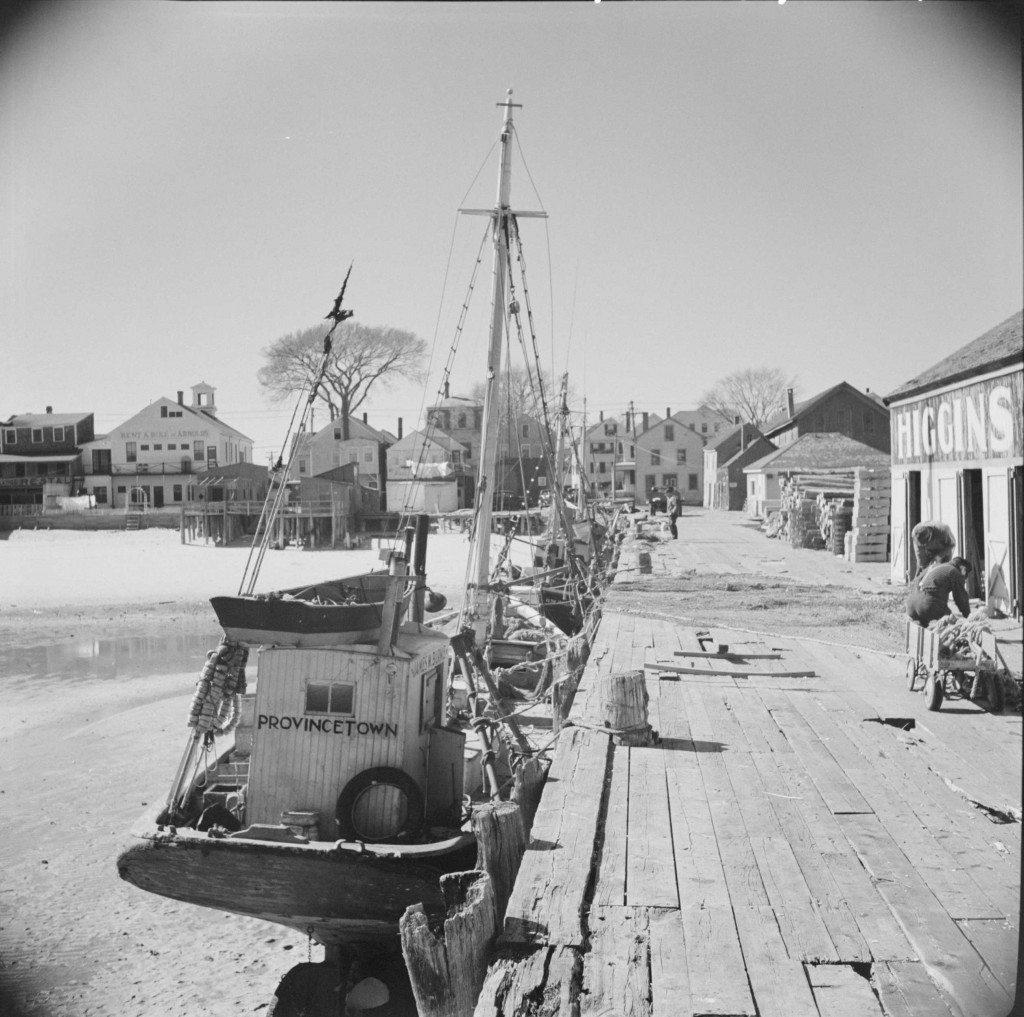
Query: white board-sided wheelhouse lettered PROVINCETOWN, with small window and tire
357	738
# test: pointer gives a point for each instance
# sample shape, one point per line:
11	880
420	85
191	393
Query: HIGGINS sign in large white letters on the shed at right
977	422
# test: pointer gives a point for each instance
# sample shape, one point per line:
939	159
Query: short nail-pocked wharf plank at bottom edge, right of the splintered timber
617	973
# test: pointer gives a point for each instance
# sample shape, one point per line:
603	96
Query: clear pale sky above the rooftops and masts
834	190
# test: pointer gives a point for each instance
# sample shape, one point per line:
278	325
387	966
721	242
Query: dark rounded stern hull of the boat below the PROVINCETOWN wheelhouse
338	894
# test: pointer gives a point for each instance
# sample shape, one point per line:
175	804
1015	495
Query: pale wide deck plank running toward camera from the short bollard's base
651	877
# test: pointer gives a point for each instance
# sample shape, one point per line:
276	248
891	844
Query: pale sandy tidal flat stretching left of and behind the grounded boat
103	637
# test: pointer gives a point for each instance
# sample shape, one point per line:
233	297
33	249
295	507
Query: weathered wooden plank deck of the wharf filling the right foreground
780	852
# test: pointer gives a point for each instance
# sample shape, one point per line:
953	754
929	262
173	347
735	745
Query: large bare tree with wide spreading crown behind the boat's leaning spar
361	357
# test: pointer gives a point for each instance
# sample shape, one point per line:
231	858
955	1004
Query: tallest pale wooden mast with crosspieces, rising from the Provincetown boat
481	556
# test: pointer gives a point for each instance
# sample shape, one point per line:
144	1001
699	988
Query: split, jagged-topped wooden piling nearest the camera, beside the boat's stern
447	972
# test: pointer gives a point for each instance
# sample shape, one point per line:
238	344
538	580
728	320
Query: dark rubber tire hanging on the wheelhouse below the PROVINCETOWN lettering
380	804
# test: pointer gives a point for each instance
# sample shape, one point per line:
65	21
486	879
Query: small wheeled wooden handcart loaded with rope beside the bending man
973	677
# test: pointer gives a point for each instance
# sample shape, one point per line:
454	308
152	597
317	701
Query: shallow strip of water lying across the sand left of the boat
86	659
